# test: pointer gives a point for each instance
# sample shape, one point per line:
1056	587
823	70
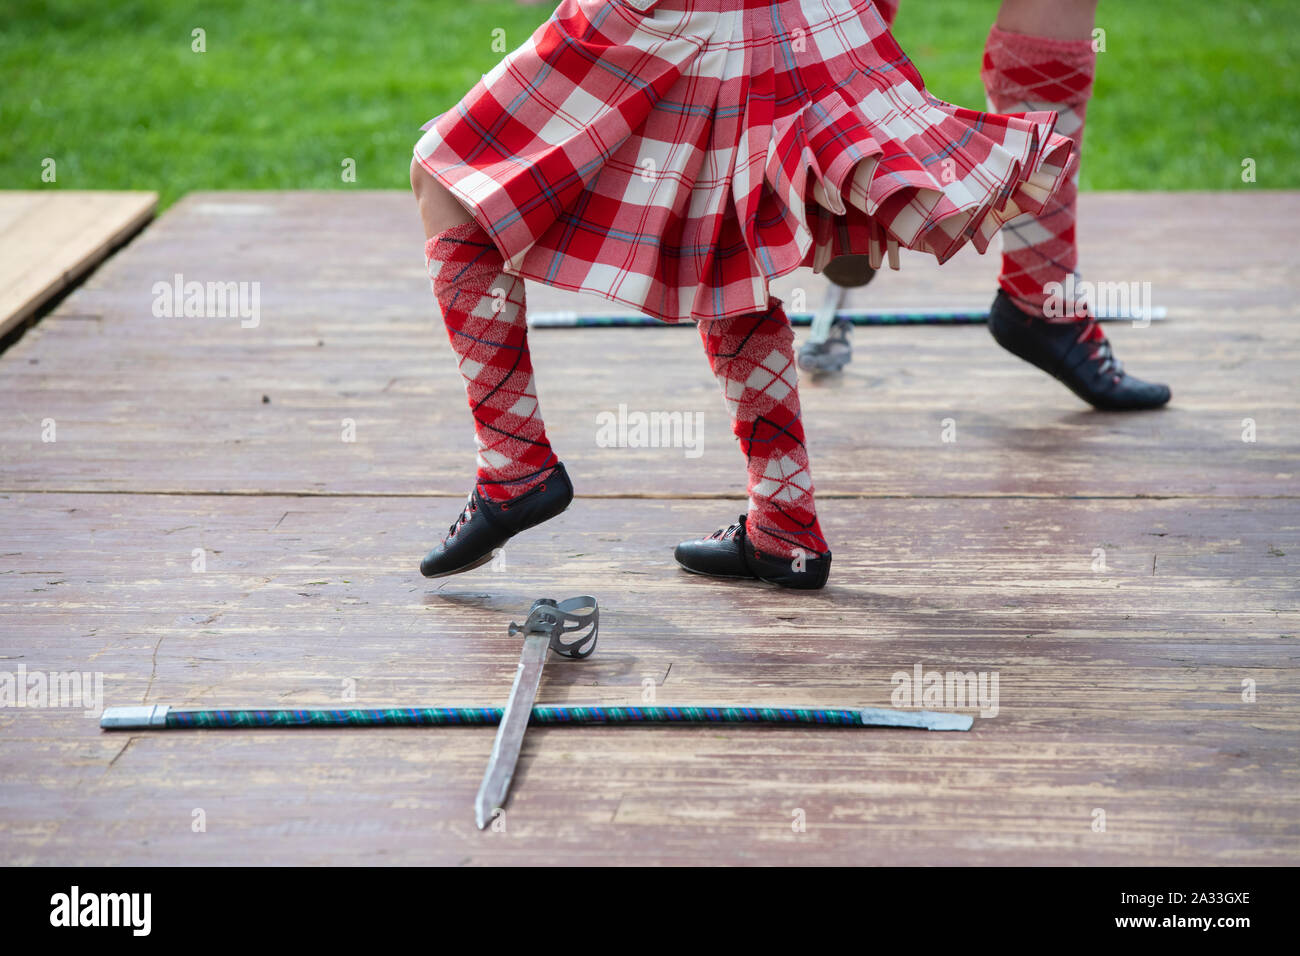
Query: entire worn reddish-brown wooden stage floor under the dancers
1121	690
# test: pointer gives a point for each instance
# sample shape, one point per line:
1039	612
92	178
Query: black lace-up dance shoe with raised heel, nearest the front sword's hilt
484	526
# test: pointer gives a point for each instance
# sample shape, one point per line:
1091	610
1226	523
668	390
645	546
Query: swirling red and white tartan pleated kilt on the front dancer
677	155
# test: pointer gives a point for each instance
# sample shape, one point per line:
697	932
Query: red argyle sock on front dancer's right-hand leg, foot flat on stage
753	358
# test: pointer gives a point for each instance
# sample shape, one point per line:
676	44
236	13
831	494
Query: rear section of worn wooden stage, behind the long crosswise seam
349	331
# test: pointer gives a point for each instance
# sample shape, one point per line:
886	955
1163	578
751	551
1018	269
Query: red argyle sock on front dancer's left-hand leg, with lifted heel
486	314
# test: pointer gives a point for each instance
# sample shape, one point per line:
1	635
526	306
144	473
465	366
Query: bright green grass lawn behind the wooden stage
285	92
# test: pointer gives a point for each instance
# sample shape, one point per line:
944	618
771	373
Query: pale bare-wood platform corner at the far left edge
50	240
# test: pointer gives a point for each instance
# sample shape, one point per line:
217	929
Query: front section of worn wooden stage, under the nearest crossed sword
1120	690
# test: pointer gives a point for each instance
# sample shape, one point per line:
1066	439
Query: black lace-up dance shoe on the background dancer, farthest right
1076	353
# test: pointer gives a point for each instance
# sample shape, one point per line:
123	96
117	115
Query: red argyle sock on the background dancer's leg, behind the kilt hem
1025	73
